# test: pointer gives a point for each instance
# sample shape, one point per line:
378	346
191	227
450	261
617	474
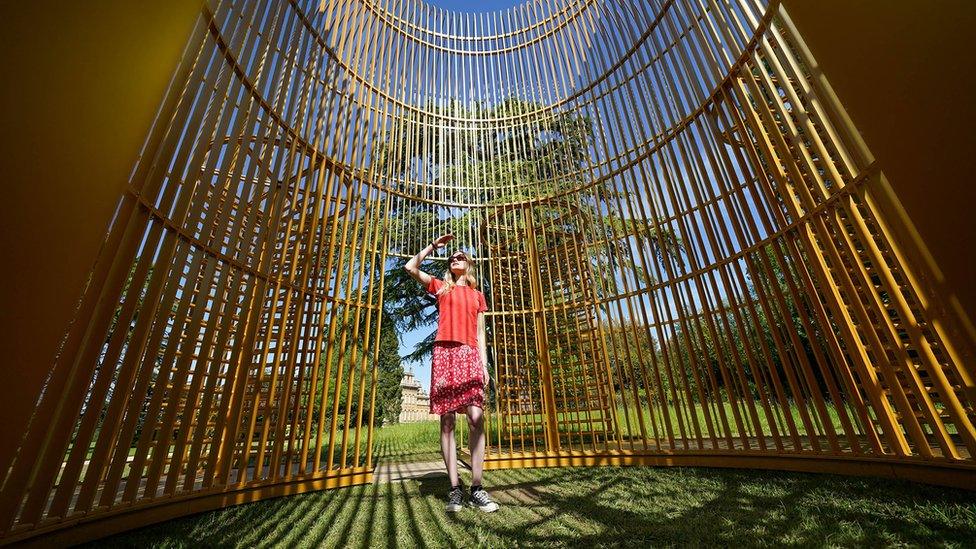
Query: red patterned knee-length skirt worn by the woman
456	379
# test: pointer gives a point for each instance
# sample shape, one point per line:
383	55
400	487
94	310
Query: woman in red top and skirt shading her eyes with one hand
459	371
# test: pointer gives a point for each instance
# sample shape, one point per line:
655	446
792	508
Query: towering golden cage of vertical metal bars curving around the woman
690	255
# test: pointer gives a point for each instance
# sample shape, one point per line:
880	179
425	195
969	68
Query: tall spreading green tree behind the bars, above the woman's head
534	157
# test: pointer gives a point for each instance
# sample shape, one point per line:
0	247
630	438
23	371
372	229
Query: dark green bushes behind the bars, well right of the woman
700	344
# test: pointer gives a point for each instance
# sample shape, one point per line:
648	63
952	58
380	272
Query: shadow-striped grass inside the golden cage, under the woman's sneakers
588	507
